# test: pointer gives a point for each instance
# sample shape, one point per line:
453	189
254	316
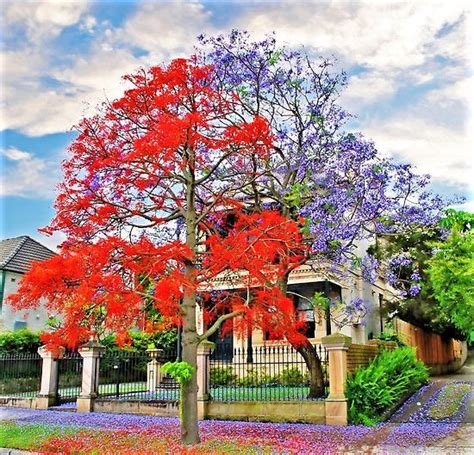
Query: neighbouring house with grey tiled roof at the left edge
16	255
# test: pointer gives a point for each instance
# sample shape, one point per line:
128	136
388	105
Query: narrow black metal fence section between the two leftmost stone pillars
69	377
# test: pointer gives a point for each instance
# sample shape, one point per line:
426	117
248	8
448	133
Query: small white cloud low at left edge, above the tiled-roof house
27	175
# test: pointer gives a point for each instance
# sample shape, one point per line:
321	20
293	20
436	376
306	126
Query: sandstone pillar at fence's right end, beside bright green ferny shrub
337	345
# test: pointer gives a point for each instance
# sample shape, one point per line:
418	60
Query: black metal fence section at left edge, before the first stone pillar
20	375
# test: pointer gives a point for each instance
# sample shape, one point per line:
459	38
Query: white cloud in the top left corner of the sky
43	19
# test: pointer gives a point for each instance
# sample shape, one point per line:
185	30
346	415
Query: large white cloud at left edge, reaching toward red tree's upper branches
36	110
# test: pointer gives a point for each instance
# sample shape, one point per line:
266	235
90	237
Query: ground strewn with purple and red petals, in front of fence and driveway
68	432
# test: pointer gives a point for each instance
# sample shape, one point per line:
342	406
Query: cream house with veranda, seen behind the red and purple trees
303	283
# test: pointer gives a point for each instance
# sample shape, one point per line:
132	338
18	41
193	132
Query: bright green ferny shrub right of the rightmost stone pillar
375	389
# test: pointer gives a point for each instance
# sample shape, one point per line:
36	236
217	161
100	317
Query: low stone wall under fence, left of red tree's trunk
160	408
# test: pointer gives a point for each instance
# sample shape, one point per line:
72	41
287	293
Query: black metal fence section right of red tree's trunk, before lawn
266	373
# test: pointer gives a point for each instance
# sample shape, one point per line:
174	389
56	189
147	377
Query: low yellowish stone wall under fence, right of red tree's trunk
268	411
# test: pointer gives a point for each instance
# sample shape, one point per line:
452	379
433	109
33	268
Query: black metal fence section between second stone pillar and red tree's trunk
123	376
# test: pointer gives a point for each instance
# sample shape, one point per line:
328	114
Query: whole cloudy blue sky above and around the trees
409	65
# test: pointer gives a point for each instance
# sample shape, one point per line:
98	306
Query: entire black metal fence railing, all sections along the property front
263	373
